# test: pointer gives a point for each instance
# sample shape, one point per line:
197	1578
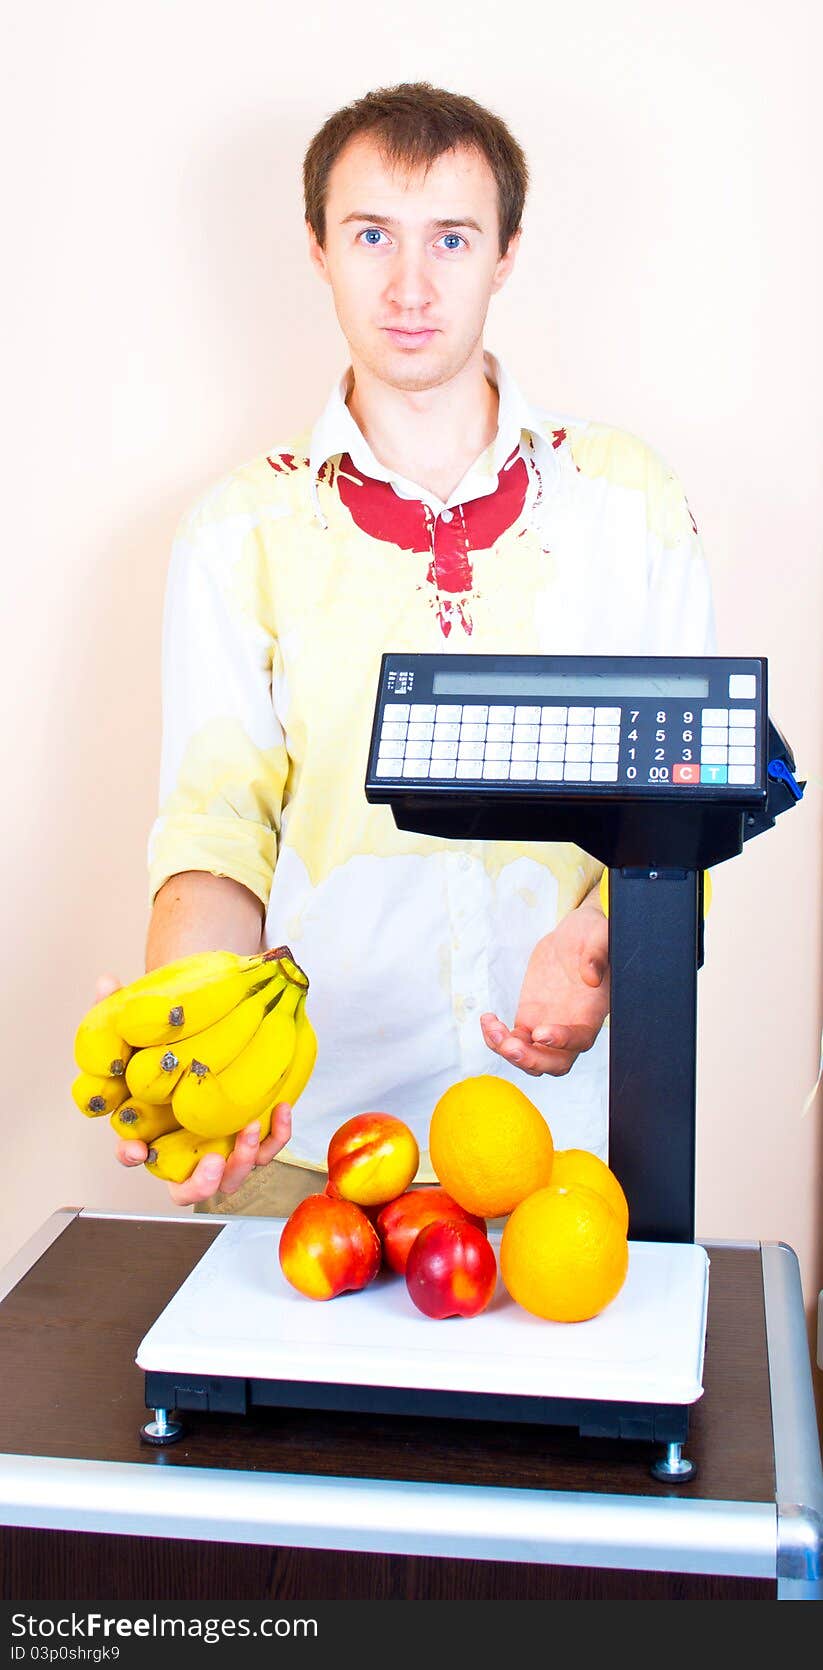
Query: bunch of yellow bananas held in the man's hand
188	1055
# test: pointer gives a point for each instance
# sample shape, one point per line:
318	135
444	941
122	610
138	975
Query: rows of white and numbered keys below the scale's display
518	744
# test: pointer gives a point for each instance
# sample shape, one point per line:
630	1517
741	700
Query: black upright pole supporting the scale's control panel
654	953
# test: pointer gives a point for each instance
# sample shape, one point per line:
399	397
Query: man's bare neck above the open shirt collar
430	437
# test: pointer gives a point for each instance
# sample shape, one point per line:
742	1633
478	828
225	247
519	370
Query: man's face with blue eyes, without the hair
413	263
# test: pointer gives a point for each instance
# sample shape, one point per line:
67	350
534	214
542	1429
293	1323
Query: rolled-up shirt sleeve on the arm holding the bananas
223	761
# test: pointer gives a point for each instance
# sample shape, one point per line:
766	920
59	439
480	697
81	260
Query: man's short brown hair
415	124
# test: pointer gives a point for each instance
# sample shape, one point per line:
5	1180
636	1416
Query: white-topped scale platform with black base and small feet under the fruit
236	1339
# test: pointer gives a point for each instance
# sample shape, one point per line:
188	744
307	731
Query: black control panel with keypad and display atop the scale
637	726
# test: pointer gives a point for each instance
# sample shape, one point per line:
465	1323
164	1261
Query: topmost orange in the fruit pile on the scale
490	1146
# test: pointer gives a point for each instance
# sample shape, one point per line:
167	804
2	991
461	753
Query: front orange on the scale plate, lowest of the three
563	1255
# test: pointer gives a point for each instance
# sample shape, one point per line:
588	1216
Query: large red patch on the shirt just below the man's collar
413	525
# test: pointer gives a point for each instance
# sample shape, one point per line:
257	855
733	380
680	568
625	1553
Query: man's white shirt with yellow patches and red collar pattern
286	585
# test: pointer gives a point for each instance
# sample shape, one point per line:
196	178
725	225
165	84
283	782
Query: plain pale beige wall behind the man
164	326
